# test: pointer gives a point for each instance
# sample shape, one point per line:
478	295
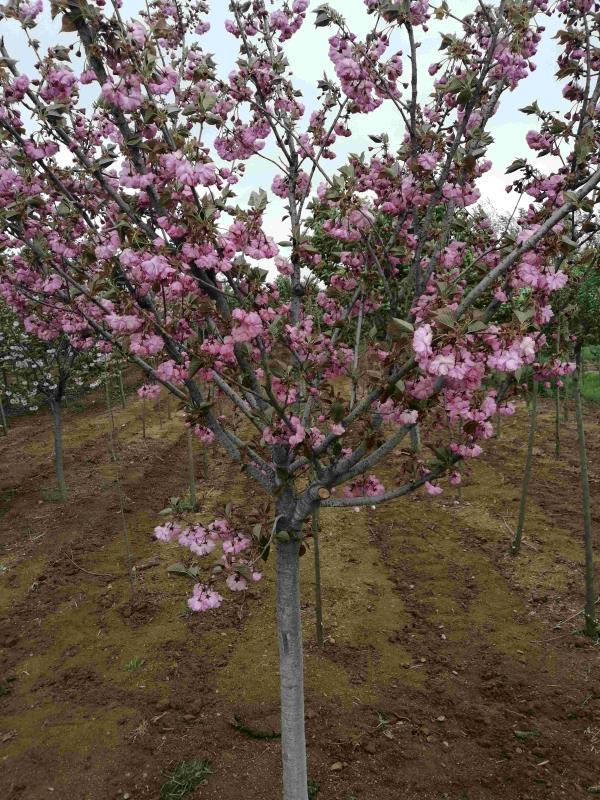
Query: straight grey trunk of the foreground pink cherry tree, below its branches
291	672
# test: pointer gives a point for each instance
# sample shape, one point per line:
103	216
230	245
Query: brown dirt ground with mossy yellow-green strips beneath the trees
440	645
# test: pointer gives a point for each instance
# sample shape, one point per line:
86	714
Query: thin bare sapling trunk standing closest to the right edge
591	626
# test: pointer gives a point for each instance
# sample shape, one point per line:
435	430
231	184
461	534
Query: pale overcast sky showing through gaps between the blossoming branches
307	54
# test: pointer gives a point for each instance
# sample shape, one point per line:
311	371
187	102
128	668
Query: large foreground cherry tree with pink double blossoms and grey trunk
122	154
